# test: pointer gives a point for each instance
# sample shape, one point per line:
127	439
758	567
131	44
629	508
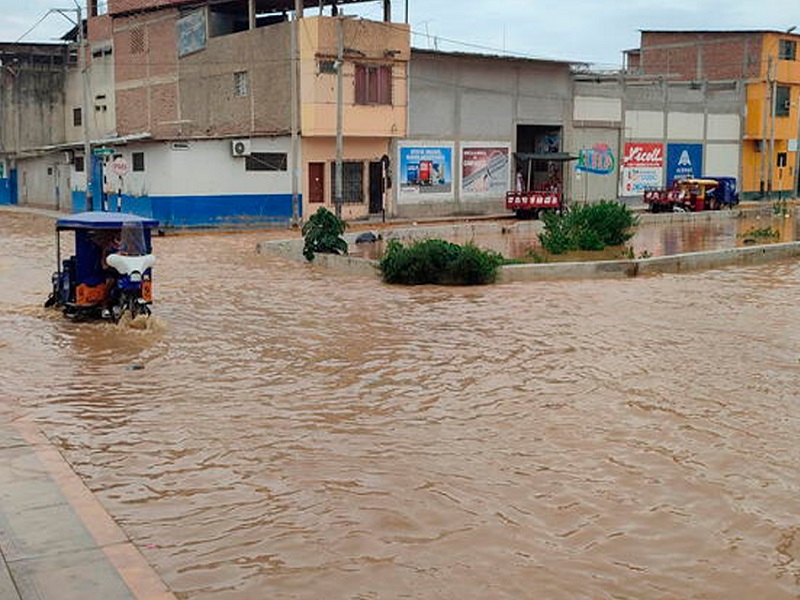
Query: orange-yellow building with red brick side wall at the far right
764	65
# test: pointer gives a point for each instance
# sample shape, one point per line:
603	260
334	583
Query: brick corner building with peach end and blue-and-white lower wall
207	113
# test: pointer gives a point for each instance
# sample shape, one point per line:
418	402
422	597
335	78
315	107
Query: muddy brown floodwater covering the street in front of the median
283	432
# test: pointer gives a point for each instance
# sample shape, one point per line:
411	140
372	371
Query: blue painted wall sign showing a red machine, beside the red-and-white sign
426	170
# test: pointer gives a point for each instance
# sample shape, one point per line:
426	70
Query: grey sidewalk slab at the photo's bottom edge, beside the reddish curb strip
84	575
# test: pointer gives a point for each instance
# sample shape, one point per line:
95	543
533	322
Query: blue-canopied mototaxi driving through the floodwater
110	271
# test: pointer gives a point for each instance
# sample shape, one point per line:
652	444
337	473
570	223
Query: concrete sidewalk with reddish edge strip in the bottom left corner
56	540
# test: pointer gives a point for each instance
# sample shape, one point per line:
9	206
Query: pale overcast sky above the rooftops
594	31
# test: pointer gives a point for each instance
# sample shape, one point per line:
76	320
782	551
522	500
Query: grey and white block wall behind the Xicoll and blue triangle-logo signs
668	115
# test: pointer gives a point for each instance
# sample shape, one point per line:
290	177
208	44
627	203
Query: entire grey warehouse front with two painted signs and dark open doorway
472	117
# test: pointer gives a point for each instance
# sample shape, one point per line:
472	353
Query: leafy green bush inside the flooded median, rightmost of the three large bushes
588	227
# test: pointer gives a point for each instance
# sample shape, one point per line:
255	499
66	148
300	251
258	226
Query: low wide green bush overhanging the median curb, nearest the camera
439	262
